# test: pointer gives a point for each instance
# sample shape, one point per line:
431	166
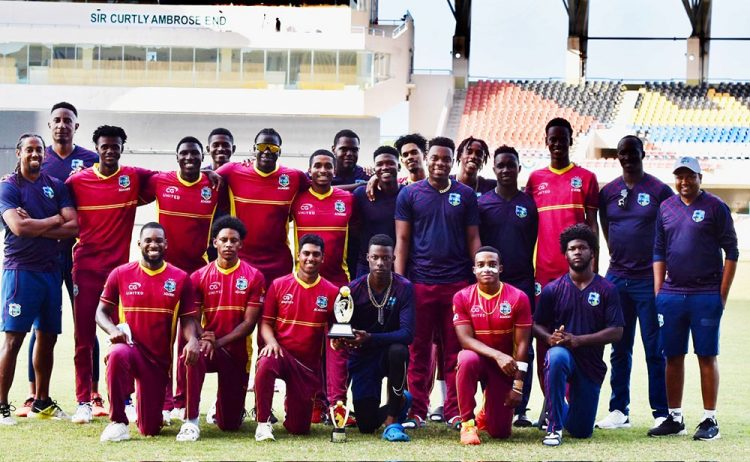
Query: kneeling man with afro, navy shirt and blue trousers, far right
577	315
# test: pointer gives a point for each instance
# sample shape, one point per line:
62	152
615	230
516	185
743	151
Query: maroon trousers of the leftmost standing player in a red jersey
88	287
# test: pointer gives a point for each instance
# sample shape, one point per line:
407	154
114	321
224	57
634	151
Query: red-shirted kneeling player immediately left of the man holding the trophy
296	313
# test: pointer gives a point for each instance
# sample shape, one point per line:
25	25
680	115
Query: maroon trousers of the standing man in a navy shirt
434	313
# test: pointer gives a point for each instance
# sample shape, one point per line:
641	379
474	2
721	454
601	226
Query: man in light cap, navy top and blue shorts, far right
692	284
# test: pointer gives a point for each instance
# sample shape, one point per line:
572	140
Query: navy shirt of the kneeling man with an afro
581	312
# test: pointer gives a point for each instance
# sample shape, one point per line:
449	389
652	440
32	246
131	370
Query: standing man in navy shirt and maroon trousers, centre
435	210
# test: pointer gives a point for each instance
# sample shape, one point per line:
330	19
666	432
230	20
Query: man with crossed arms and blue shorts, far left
36	211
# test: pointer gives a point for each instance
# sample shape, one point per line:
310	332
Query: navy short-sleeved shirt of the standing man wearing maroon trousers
438	253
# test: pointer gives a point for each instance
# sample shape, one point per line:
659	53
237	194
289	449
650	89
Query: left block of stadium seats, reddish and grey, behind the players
515	112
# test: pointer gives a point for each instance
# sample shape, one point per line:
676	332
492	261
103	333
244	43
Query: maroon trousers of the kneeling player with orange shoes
473	368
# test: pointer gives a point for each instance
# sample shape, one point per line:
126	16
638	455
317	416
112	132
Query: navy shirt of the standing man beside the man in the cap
631	228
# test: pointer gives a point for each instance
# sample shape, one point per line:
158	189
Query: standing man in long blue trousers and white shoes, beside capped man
628	208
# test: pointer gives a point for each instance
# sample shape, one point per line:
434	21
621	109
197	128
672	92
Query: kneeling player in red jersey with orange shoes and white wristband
492	320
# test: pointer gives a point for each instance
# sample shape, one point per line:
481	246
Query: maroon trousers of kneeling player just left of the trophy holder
302	383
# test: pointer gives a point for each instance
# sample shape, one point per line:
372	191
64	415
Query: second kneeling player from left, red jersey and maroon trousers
229	293
